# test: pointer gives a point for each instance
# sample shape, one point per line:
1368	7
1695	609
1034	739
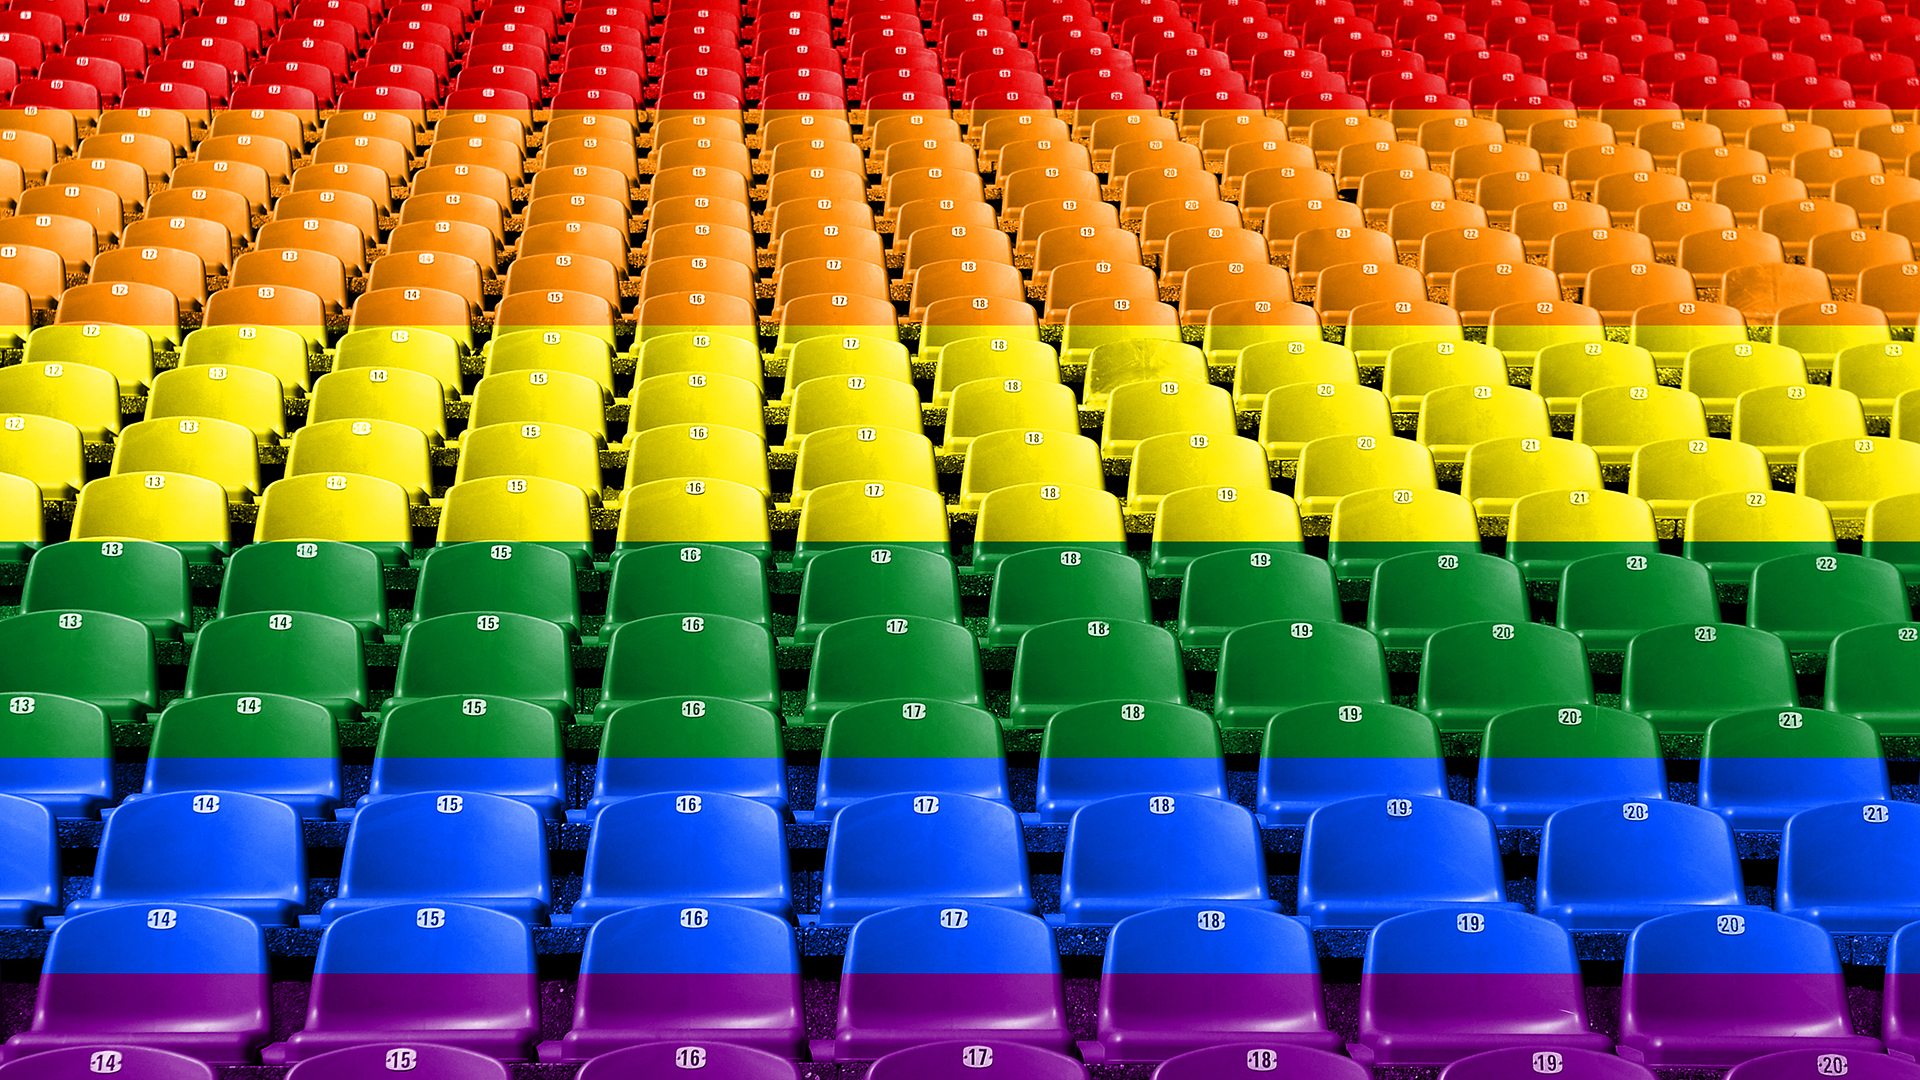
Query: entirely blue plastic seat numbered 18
1149	850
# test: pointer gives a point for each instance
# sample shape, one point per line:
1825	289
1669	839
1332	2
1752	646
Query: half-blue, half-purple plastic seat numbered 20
1714	989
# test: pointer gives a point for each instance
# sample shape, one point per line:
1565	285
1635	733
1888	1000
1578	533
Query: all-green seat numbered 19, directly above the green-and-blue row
1280	666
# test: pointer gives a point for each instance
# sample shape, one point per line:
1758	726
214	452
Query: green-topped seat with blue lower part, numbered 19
1337	750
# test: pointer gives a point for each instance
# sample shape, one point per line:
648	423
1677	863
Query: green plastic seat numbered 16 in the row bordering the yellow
669	579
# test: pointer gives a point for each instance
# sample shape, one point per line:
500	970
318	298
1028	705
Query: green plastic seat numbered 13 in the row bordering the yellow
128	577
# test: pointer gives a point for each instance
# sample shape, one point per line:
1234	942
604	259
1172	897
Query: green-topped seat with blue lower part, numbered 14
264	745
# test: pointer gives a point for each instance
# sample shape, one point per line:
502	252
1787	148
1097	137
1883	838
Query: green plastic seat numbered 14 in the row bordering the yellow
322	577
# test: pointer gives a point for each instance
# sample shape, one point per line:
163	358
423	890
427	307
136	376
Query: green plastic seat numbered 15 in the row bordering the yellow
473	577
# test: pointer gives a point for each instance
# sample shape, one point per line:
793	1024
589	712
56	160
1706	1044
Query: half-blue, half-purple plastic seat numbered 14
181	977
